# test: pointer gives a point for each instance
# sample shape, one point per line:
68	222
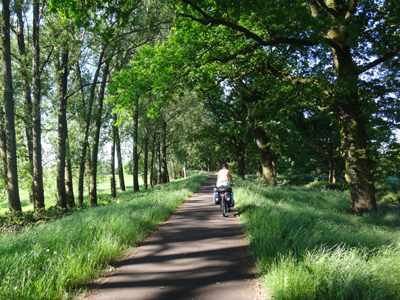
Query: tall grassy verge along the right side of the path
308	246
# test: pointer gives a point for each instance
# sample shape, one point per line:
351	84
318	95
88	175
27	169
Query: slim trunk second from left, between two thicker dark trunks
26	89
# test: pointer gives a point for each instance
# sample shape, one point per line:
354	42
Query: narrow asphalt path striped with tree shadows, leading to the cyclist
197	254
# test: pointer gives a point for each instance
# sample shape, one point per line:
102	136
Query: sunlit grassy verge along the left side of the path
57	259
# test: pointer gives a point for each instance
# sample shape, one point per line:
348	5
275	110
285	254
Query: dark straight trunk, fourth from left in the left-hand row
62	131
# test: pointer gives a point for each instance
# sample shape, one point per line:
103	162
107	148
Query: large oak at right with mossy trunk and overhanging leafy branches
315	30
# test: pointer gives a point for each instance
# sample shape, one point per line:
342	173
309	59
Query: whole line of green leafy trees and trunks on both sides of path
274	86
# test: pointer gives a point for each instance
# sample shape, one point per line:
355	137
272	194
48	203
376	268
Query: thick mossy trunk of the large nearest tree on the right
352	124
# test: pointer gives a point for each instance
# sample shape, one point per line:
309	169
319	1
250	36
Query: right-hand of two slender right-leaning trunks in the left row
96	141
